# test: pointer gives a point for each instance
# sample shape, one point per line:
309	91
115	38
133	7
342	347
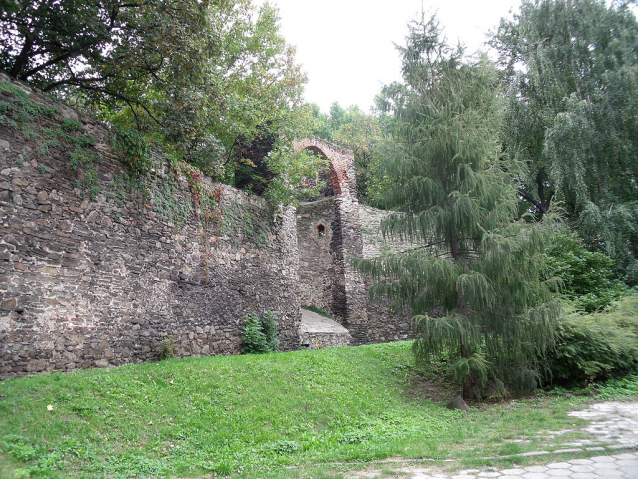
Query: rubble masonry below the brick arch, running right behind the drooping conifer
323	281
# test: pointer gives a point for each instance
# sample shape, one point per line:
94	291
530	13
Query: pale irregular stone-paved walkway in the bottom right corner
615	426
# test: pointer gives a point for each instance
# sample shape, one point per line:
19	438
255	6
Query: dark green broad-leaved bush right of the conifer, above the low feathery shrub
588	278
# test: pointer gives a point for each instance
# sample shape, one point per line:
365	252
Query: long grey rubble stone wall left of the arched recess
94	282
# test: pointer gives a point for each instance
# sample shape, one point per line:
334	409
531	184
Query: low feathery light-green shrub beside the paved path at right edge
596	346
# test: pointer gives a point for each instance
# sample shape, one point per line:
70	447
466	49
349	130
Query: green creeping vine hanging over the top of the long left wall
47	130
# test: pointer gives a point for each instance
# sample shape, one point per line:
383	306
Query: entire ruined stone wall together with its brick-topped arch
100	277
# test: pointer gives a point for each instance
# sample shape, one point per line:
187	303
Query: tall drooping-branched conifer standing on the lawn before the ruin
473	281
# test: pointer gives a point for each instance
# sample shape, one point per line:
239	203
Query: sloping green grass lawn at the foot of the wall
275	415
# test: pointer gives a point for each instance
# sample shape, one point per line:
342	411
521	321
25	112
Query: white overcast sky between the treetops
347	46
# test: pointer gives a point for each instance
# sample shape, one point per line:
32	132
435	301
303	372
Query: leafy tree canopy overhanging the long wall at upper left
197	77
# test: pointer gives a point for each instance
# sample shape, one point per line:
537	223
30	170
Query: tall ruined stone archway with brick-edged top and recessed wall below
327	278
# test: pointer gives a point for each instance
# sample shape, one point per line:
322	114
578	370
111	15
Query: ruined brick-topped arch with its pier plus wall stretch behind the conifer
330	231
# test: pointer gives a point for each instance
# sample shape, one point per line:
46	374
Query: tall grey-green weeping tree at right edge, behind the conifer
571	68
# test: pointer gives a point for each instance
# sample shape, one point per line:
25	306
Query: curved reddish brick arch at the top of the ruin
341	170
